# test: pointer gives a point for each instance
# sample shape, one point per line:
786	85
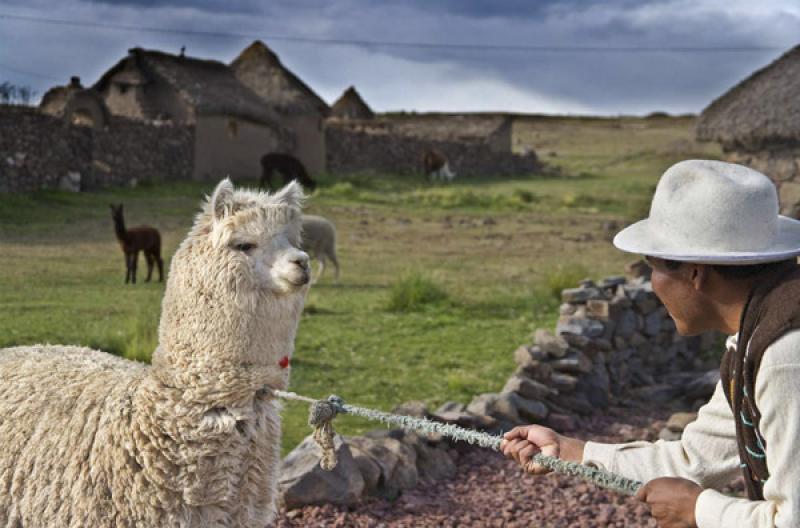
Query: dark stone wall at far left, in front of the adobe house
39	151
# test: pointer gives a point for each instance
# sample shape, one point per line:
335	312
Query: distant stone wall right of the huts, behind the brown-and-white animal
384	147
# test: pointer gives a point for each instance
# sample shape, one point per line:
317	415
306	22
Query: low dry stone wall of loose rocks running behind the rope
614	343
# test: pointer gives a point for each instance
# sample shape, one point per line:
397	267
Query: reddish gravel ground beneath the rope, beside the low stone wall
489	490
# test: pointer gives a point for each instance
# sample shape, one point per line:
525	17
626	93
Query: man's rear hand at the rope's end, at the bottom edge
671	501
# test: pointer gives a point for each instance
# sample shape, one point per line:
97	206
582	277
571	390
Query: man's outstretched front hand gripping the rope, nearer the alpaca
522	443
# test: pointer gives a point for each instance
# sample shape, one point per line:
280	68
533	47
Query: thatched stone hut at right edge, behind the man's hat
757	122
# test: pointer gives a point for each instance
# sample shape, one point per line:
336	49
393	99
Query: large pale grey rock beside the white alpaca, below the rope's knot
303	482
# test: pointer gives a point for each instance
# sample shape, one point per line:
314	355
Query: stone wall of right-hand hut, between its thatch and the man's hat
782	165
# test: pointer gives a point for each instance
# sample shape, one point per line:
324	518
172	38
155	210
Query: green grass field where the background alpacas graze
439	284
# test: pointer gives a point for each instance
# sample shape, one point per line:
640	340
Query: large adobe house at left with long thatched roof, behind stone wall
233	128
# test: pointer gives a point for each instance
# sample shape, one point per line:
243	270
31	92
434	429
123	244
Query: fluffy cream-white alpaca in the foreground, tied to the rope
88	439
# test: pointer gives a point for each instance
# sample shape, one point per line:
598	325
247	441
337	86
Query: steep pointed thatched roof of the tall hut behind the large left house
259	68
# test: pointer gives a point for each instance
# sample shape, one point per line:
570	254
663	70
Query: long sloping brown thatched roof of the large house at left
207	86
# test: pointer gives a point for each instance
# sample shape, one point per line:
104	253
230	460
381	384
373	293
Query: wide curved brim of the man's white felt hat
642	239
